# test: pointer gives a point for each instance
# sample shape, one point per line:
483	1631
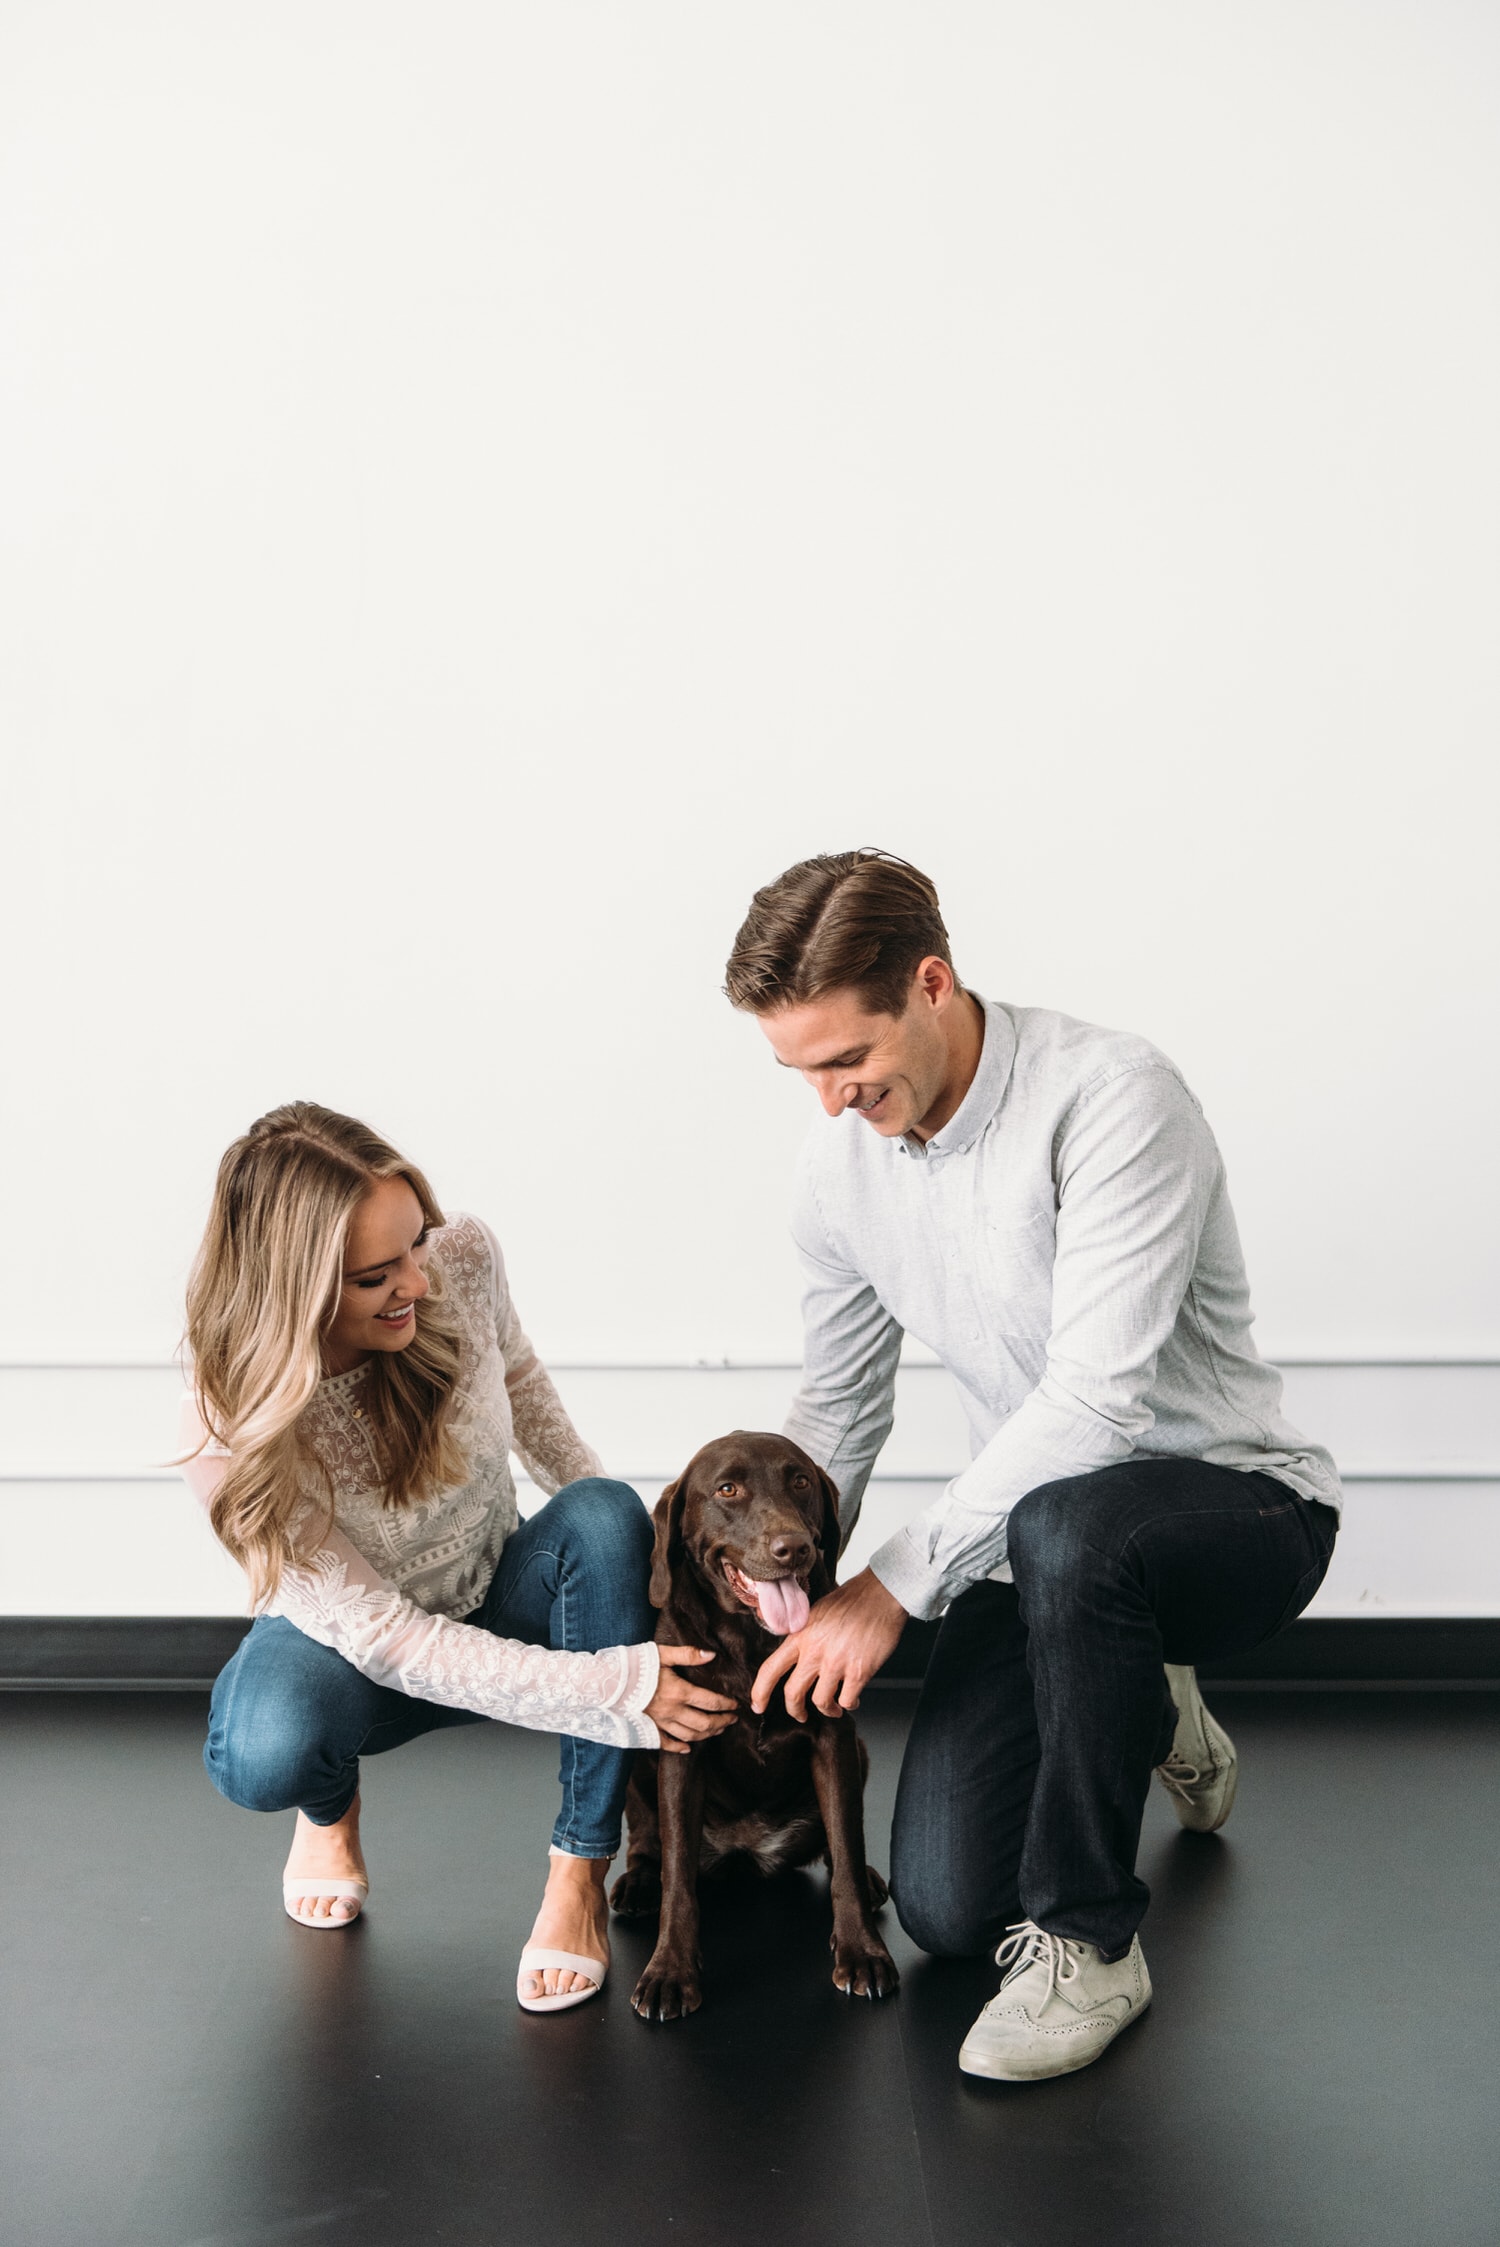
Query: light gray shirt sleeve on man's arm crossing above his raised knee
1135	1176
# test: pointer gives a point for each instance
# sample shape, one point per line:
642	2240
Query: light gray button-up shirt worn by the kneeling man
1068	1250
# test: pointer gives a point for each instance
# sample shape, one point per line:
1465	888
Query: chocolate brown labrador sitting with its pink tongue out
744	1543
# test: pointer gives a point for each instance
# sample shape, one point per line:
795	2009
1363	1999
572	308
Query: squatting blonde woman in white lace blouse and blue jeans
360	1379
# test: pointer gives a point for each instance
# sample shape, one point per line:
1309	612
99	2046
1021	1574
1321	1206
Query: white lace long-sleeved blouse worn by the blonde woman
390	1585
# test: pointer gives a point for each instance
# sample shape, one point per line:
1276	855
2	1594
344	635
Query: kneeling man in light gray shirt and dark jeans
1043	1206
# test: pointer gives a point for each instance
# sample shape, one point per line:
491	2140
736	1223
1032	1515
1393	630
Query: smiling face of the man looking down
890	1068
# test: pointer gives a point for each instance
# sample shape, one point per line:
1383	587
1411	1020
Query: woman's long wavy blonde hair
264	1291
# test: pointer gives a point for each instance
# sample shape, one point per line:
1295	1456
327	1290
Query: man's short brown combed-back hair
852	920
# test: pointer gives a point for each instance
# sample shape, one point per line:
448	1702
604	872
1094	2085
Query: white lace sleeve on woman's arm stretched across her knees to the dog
342	1601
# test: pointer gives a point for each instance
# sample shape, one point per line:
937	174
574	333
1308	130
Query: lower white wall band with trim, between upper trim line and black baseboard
93	1525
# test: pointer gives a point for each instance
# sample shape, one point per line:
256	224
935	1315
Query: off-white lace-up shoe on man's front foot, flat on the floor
1057	2010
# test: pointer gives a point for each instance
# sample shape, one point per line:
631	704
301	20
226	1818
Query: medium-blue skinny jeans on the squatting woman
291	1718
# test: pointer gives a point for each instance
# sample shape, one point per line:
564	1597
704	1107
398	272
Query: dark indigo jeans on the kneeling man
1045	1707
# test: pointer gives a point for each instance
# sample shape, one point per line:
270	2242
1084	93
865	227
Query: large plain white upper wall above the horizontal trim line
488	486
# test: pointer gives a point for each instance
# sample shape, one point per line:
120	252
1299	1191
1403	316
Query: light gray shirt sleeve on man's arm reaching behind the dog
848	1401
